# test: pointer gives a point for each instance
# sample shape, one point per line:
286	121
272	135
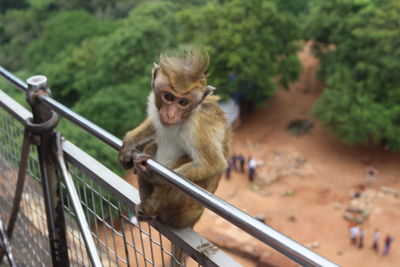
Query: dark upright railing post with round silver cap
42	125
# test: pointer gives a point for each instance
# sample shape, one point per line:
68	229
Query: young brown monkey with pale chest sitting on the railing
185	131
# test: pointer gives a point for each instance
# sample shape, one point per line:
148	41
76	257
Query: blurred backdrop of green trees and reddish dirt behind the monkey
312	90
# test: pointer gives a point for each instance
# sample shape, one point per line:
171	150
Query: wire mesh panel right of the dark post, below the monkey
120	239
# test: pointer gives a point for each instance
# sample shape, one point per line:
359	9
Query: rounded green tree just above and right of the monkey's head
251	45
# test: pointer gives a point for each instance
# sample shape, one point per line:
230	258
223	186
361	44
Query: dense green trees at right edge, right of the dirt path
358	44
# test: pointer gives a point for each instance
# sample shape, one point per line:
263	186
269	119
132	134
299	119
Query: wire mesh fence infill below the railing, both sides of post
120	239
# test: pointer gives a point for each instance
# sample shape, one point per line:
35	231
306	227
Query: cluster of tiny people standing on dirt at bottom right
357	234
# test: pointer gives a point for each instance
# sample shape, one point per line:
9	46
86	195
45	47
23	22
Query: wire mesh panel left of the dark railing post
30	239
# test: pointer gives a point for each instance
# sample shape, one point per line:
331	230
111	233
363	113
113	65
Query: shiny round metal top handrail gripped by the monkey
249	224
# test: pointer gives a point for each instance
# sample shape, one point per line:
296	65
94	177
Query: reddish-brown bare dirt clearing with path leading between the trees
322	185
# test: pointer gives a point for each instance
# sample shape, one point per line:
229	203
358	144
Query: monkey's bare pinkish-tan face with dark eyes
174	107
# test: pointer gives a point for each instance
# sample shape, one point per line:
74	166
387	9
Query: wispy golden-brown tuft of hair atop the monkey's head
188	71
